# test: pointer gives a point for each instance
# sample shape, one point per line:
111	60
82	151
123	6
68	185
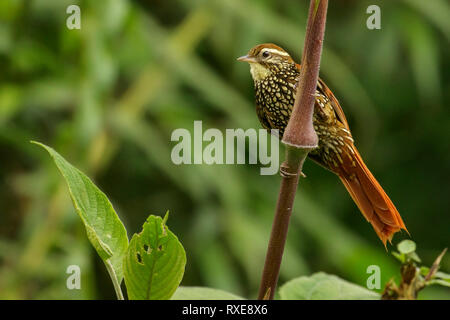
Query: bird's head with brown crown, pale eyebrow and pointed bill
266	59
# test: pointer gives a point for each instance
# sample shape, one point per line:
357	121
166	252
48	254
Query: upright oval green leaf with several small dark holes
154	263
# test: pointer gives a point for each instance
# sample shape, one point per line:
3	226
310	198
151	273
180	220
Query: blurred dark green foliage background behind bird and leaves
108	96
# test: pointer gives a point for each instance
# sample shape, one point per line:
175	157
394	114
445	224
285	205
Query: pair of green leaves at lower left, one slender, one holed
154	261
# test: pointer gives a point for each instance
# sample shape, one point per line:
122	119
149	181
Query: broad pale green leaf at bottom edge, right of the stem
322	286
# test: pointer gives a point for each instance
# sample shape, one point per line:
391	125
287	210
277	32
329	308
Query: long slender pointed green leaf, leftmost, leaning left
104	229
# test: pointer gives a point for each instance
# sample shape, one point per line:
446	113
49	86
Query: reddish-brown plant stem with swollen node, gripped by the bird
299	138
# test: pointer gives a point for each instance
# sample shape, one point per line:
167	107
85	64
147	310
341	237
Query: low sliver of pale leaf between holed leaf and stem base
202	293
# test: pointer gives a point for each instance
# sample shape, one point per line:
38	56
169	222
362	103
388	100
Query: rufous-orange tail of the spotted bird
371	199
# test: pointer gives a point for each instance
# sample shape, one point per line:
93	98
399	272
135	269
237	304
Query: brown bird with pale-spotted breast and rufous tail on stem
276	75
